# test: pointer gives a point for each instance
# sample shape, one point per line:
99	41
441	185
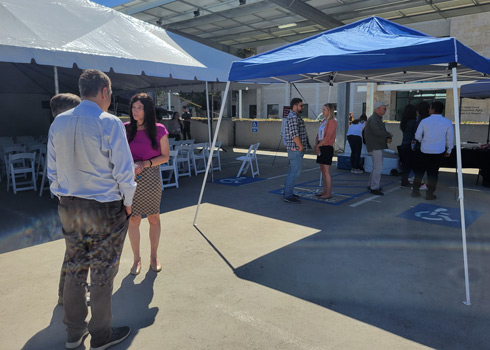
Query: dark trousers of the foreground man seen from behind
94	234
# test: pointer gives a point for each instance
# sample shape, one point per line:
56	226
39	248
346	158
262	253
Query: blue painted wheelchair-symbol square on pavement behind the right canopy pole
439	215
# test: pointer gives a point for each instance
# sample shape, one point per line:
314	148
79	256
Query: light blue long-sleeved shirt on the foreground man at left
89	156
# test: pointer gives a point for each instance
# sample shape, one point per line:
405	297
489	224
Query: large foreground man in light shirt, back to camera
91	169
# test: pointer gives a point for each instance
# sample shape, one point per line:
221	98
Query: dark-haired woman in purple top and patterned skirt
148	142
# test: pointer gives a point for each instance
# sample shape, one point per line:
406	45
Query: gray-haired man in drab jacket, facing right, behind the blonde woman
377	139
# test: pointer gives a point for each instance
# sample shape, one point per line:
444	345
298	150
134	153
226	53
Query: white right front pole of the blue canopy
460	183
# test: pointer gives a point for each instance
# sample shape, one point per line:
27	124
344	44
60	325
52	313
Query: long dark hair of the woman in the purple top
150	119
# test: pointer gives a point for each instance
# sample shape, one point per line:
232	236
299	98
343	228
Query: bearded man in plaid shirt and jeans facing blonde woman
296	141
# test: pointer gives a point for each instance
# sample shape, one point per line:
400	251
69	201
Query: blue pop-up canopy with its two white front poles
370	50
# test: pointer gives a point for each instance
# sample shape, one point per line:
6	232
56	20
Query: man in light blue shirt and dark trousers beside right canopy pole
436	136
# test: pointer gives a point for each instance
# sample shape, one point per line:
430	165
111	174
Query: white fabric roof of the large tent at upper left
89	35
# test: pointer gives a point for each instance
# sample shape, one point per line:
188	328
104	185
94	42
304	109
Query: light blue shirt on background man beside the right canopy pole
436	134
